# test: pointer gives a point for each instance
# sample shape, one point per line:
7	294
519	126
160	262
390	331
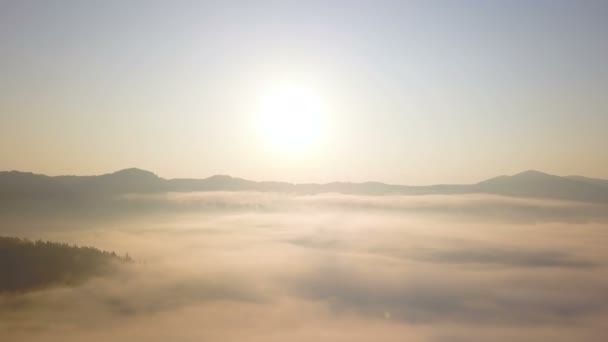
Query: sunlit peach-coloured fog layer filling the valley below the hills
261	267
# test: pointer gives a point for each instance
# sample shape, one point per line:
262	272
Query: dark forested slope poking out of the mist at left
27	265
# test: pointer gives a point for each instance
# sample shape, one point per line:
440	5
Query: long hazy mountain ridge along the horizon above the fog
17	186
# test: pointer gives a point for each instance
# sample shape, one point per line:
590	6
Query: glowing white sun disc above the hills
293	119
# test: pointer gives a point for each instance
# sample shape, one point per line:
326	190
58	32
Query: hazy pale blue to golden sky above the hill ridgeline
412	92
